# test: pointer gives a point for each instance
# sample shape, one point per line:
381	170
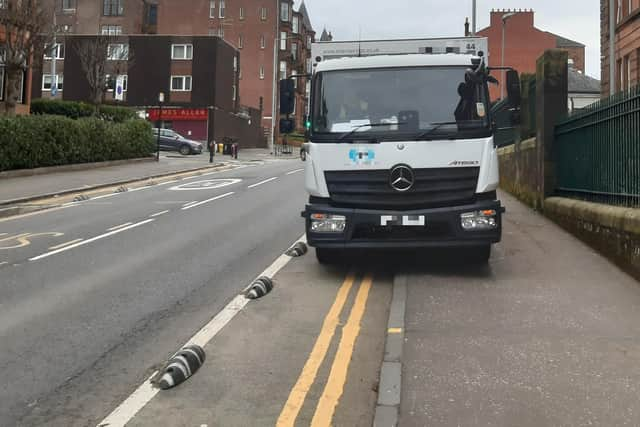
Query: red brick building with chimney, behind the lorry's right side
524	43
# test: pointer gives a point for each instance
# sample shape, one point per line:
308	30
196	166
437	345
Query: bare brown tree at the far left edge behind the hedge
26	26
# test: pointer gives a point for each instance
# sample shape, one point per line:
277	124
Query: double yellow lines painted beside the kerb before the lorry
335	384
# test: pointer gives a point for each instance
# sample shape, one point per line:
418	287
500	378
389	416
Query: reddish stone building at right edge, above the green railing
627	44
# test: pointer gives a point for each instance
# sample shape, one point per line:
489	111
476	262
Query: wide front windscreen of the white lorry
395	103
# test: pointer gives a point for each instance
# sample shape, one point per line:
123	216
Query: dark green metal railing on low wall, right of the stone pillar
597	151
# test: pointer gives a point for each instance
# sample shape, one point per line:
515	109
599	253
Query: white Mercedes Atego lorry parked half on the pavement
400	150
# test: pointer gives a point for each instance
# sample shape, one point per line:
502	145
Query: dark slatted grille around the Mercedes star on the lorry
437	187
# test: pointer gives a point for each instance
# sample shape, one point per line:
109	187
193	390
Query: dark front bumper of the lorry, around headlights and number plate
442	228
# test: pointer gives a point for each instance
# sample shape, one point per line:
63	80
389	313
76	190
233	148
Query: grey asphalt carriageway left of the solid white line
94	295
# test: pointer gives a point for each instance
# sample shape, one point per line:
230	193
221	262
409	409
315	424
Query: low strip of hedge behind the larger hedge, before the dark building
76	110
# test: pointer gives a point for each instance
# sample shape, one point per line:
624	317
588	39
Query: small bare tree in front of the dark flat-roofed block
101	56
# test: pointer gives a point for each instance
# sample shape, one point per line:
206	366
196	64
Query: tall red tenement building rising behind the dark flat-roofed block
253	27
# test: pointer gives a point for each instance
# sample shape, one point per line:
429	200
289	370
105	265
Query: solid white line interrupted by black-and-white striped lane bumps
146	391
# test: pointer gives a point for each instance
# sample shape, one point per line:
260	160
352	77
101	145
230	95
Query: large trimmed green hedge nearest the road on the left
38	141
